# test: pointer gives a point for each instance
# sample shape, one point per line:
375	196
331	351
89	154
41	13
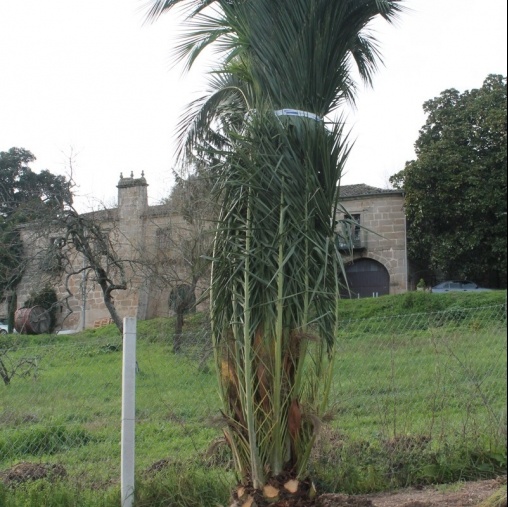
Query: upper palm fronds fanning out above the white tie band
307	45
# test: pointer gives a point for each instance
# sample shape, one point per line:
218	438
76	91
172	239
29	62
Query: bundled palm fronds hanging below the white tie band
280	177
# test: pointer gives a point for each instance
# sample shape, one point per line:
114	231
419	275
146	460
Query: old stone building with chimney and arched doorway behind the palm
371	238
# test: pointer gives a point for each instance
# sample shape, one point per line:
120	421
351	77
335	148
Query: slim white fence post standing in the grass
128	411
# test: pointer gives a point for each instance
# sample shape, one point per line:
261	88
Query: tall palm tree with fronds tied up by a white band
285	66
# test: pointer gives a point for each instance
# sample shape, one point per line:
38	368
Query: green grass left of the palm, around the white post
77	392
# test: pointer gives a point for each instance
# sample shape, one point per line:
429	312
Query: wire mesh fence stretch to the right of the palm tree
434	374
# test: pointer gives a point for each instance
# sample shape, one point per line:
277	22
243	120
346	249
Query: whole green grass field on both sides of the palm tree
417	397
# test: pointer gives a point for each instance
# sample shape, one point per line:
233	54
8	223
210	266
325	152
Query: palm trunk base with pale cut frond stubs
282	491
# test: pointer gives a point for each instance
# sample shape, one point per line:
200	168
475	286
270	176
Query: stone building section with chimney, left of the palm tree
150	242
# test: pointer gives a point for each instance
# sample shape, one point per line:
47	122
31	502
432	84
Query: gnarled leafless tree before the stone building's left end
70	251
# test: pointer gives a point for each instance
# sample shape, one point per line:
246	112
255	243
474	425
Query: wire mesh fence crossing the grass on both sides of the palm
440	376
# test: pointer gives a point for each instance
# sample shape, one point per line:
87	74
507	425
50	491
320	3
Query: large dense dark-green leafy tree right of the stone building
456	188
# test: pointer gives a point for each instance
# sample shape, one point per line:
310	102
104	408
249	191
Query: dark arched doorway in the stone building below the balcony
367	278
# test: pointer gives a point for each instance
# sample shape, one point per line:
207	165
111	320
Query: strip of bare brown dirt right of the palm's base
457	495
